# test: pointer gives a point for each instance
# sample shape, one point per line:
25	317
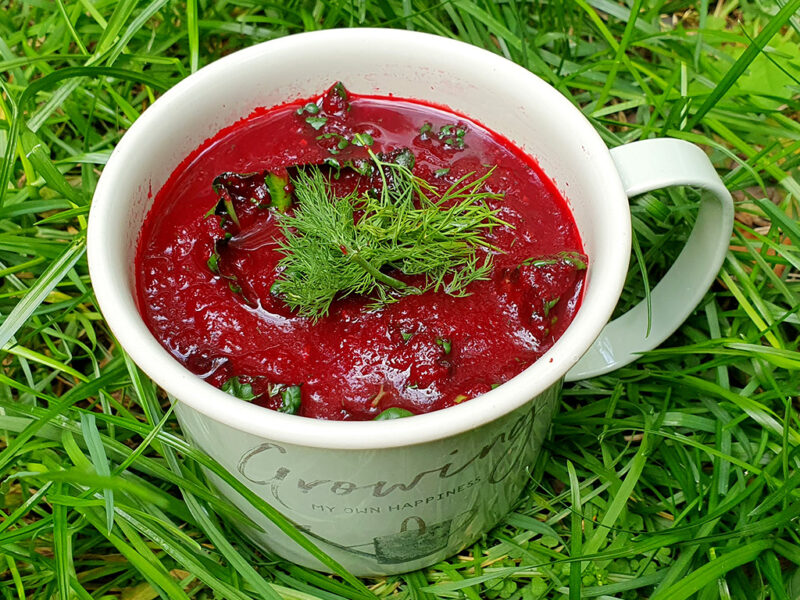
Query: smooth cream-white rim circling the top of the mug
183	386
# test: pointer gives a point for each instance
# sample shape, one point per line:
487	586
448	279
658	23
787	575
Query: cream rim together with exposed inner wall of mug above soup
489	89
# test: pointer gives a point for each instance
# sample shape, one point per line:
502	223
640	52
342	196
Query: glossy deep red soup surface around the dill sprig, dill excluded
422	353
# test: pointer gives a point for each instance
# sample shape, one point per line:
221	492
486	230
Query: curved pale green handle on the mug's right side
649	165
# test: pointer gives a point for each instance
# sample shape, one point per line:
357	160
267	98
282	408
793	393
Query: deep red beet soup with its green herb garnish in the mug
358	257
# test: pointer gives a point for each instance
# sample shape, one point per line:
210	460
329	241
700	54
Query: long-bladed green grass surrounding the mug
676	477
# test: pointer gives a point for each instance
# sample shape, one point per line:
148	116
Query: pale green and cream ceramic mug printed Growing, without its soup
392	496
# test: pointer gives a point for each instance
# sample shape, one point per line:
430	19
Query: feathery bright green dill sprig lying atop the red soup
339	246
